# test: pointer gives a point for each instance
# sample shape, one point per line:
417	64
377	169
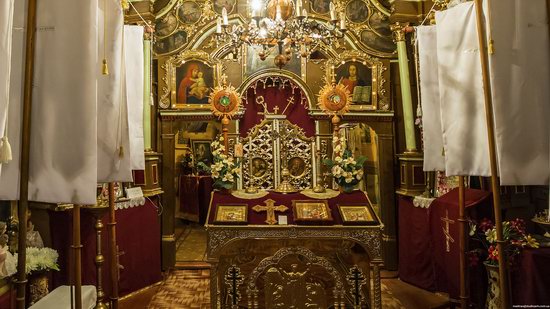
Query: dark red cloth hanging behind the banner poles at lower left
138	239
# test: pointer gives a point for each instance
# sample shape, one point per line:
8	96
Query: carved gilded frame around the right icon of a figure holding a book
379	101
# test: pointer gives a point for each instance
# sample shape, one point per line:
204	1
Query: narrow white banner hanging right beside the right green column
434	159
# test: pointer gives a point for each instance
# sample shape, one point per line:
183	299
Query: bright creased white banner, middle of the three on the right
461	92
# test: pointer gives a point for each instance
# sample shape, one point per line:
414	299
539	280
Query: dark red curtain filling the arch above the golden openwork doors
276	94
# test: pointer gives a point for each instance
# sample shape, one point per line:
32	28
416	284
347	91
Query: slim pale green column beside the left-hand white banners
147	94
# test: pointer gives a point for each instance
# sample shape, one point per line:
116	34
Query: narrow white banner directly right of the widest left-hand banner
112	125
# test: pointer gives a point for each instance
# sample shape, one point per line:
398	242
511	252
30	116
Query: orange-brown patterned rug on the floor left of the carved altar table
184	289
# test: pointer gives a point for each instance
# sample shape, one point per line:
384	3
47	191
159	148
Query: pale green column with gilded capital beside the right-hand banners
399	37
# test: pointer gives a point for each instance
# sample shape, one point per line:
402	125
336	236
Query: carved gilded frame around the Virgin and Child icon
169	93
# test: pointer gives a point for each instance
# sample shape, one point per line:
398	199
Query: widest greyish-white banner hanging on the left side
63	159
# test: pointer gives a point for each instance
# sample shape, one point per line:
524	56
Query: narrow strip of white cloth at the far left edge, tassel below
6	25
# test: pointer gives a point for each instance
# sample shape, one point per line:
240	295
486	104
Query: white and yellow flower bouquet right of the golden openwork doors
347	171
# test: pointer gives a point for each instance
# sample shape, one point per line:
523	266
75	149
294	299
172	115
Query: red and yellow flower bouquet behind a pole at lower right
512	231
